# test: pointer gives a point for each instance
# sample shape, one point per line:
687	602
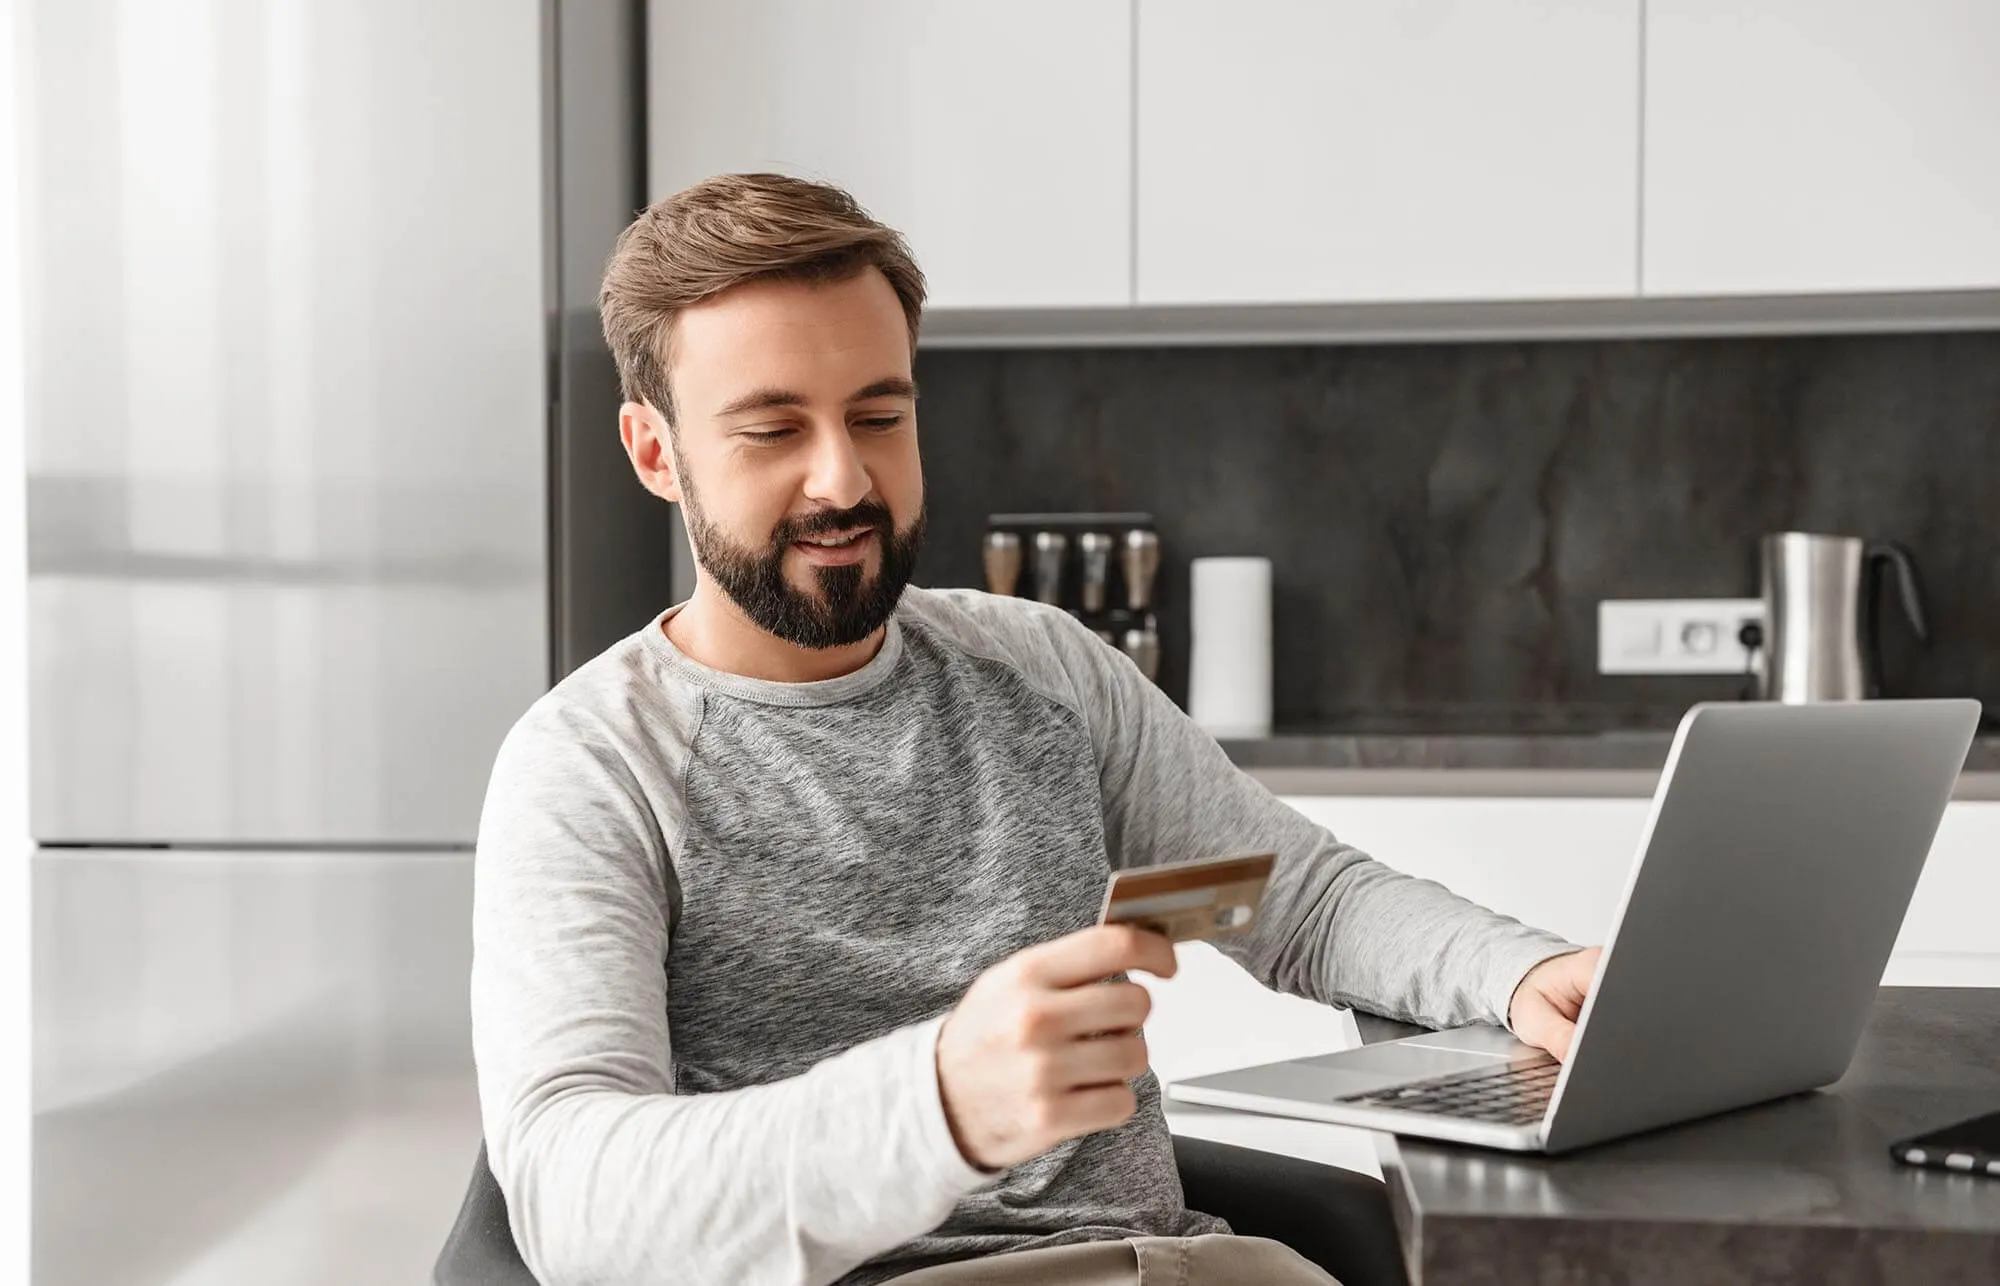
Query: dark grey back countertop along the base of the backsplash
1503	759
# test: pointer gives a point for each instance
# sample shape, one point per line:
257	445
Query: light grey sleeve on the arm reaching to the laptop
1335	925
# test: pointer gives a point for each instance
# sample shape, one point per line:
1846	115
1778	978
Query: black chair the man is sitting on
1337	1219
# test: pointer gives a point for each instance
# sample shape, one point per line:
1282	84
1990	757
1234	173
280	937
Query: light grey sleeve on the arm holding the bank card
611	1177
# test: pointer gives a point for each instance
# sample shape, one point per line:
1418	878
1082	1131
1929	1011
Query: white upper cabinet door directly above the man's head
995	135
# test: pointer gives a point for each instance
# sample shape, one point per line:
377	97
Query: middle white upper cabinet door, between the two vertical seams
1351	151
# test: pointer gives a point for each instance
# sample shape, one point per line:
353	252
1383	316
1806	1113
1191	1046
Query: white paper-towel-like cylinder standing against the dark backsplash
1229	667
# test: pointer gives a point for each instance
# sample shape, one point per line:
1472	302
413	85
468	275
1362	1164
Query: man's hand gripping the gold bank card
1041	1047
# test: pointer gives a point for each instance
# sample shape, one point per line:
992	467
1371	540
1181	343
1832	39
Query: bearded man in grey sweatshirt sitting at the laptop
787	965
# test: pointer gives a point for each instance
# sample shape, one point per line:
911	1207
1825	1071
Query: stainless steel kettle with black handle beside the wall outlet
1821	615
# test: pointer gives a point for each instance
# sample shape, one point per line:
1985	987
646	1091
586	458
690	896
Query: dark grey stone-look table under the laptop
1801	1189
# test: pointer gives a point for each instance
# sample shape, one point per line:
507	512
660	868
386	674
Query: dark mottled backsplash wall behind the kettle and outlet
1445	519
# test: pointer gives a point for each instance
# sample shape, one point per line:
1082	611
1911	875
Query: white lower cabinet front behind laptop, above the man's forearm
1563	865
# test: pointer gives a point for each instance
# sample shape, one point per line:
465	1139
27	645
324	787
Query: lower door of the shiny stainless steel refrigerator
249	1069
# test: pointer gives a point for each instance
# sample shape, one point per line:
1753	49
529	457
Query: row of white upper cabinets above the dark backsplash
1399	167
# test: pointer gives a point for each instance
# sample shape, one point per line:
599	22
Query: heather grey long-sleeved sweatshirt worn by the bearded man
719	923
